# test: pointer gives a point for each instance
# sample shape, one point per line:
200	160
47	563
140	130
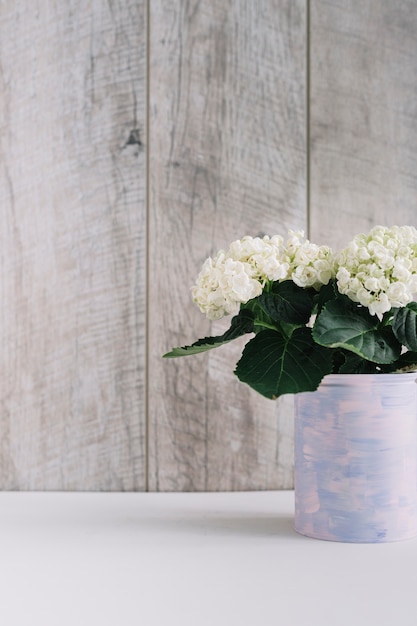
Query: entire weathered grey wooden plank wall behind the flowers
136	139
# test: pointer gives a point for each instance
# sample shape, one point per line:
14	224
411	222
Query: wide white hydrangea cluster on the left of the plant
234	277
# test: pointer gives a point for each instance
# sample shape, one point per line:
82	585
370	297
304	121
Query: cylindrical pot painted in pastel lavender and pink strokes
356	458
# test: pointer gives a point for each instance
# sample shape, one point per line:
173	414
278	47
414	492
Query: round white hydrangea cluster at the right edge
379	269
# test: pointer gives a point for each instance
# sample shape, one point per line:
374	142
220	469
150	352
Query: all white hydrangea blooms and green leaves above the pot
312	312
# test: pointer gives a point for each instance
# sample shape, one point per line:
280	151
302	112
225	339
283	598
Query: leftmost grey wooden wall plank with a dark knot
72	245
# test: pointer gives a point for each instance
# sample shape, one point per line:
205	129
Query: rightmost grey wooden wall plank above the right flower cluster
363	116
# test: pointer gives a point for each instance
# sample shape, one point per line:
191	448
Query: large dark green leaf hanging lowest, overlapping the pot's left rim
273	364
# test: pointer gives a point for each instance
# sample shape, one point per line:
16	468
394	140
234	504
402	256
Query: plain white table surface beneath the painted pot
232	559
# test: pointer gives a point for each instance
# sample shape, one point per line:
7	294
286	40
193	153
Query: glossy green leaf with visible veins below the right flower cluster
354	329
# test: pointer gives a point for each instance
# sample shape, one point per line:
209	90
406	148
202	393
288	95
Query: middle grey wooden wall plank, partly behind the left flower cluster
227	159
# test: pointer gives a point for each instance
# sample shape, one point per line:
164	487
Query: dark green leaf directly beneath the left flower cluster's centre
287	302
